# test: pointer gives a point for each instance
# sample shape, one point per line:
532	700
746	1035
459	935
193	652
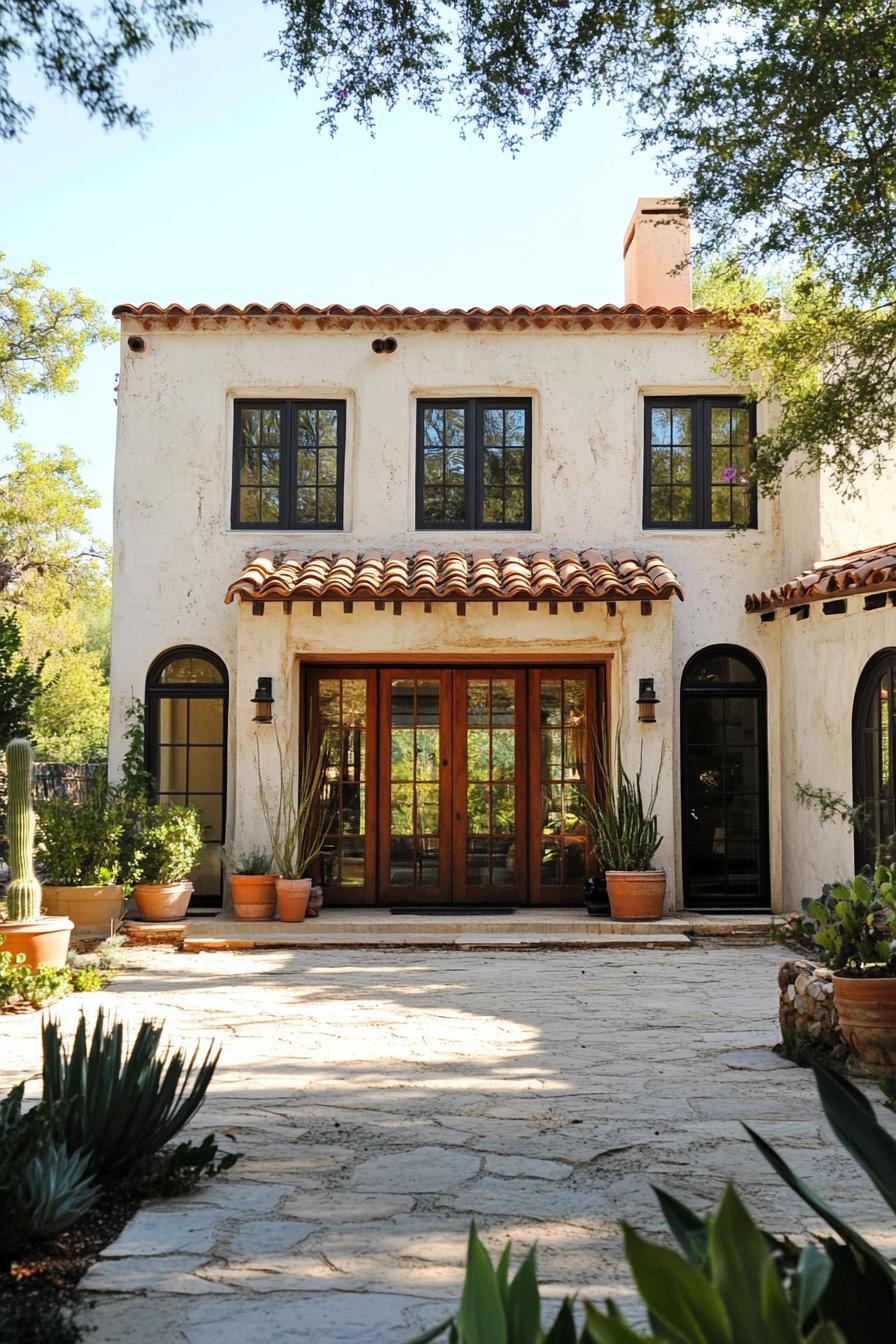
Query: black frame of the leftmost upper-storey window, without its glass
289	409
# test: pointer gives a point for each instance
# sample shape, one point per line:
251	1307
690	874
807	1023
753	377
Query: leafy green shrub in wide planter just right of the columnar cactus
80	843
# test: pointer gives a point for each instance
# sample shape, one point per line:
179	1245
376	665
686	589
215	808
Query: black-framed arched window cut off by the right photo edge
874	755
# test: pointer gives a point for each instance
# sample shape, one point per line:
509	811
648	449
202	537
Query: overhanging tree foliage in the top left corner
81	52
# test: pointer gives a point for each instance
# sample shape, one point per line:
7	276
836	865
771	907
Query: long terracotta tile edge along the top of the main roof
338	318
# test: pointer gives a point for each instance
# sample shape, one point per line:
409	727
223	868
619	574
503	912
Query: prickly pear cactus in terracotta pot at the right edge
851	925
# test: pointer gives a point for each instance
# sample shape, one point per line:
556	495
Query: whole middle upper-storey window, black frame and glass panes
475	463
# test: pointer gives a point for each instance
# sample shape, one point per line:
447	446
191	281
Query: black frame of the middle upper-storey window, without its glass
475	411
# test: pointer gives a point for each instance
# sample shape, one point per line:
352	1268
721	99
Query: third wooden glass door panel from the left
490	794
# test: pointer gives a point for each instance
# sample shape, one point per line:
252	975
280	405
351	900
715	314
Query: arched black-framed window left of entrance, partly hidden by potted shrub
187	751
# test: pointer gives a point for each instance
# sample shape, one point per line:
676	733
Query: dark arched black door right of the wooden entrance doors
725	782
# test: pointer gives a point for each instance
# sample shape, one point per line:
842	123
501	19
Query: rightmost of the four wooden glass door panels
565	712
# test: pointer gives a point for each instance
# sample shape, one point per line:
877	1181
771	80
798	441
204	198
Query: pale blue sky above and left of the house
233	196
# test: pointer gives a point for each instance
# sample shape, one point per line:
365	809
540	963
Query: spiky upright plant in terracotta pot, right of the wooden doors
625	838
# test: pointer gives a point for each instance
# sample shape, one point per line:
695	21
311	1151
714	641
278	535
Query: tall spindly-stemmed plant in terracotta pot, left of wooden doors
295	826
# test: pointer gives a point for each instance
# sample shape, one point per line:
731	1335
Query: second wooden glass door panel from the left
416	786
